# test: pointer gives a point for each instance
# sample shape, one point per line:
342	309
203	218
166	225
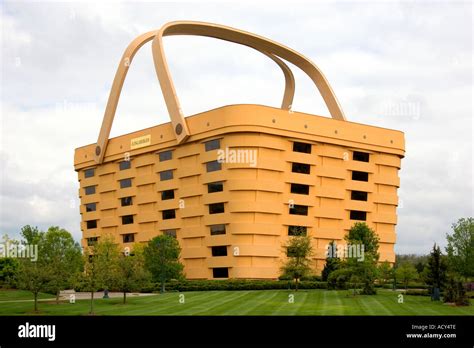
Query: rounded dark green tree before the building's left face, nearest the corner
162	259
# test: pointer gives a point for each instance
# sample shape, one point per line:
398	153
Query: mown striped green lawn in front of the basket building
264	302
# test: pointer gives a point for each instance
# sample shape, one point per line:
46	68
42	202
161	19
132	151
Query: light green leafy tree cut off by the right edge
460	248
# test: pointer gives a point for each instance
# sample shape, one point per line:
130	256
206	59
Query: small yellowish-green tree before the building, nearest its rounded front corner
298	250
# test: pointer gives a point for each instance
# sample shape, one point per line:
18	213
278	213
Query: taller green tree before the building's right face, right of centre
366	267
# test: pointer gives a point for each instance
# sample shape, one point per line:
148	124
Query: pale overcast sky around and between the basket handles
402	65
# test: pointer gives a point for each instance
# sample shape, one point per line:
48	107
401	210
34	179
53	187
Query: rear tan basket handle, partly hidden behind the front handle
121	73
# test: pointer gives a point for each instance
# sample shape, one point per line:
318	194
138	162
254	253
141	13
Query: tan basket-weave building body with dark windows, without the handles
247	179
